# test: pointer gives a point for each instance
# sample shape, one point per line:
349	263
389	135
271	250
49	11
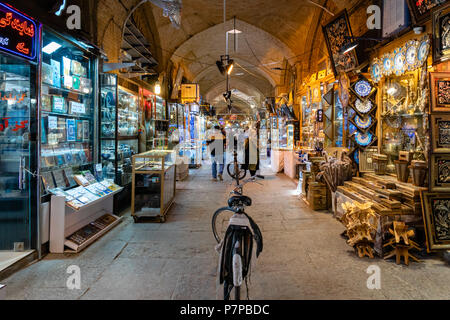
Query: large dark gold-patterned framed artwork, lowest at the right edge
436	216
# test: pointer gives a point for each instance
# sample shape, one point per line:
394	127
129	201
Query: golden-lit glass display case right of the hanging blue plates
402	118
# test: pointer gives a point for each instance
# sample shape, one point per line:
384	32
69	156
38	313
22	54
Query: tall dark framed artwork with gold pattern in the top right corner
441	34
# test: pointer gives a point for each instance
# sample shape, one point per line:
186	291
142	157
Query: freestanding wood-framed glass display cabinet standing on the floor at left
154	184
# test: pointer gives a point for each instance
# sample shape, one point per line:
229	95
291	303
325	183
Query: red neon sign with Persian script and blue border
18	33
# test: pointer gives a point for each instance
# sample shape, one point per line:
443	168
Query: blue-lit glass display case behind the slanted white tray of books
68	118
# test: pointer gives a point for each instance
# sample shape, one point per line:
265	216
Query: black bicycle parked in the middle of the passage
237	242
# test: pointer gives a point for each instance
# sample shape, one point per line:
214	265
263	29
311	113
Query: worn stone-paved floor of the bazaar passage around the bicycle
304	256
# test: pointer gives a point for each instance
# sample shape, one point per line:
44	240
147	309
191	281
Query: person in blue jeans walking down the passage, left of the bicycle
216	144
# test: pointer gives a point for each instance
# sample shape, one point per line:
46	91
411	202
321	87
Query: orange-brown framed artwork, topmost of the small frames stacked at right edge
440	91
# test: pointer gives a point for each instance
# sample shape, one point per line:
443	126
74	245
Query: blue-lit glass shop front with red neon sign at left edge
19	215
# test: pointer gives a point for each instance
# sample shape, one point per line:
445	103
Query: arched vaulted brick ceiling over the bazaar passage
273	30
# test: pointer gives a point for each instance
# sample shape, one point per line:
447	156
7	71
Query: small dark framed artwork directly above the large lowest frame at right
440	173
